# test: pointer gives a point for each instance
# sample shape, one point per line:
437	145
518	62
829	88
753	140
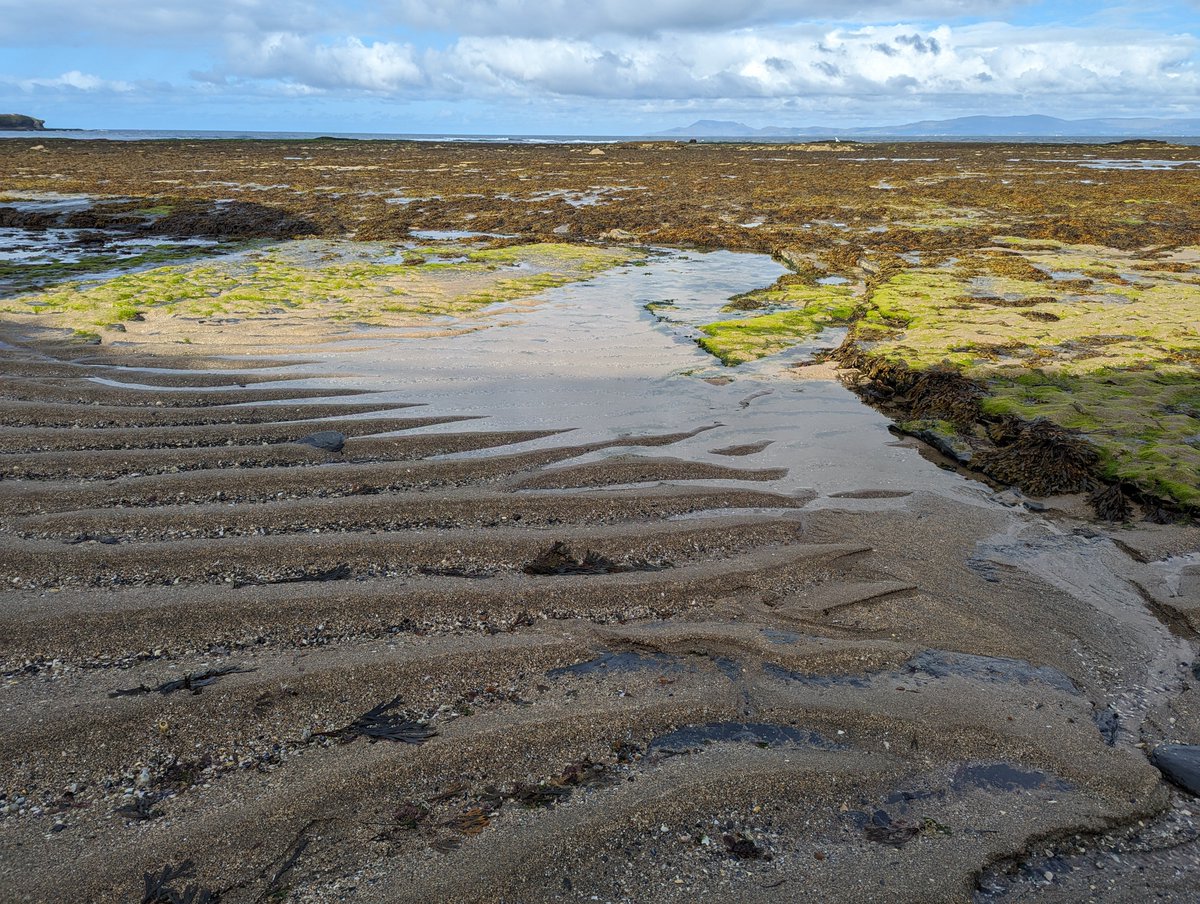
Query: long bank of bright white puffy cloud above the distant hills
747	64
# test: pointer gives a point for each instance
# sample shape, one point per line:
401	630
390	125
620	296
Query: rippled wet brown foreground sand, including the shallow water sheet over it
779	654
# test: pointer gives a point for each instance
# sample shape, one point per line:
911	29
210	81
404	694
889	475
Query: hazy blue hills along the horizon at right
1035	127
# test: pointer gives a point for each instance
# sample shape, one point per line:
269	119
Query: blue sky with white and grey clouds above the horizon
589	67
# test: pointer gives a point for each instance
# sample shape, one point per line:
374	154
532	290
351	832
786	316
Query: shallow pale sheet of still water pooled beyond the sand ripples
590	356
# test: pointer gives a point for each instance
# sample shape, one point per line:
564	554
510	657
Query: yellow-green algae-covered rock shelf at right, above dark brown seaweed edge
1120	364
